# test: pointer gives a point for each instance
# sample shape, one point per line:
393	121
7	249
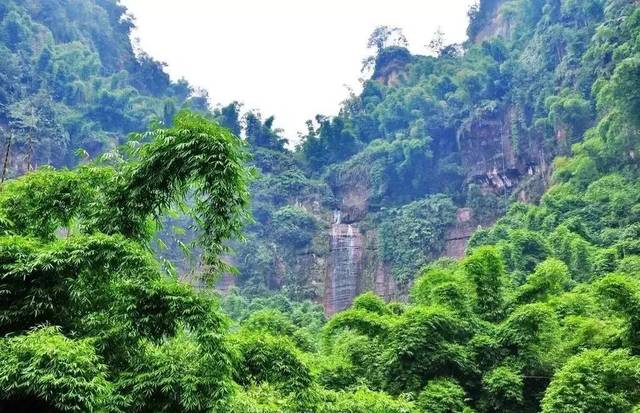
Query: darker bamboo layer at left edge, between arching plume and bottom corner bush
57	282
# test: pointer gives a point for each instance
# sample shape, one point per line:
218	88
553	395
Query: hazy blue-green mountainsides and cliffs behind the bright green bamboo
433	147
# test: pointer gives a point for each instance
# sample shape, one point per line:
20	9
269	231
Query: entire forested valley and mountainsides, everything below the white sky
463	237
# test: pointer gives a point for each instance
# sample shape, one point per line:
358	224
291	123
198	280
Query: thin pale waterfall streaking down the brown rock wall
344	265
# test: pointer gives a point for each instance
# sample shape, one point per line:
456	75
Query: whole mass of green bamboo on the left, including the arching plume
129	336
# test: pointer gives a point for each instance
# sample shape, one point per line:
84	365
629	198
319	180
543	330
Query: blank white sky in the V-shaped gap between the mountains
289	58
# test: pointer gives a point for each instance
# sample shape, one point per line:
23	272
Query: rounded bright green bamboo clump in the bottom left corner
45	371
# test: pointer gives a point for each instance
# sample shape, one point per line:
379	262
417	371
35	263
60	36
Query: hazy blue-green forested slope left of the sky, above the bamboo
70	80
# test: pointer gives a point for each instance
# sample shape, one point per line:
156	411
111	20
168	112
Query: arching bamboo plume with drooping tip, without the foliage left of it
196	156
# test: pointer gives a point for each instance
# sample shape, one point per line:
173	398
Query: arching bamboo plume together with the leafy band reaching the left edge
193	158
